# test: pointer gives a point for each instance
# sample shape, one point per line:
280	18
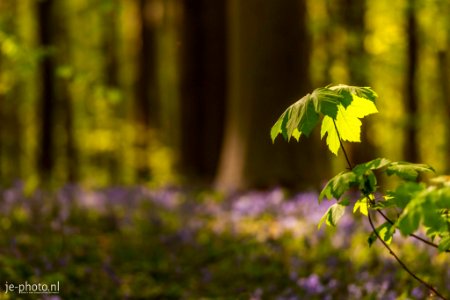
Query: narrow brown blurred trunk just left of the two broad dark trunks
146	108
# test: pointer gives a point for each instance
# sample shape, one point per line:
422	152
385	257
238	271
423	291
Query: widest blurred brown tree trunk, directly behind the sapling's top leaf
269	70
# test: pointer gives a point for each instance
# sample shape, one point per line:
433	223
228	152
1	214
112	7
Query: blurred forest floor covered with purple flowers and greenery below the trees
134	242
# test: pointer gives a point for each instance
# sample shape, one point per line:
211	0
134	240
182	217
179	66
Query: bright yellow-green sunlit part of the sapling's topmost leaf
347	122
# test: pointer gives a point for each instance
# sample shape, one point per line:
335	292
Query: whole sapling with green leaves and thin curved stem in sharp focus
417	204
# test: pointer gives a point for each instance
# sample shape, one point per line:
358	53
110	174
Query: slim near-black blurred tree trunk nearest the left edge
48	96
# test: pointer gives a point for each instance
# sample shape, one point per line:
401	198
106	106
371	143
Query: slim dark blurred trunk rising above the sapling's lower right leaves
410	150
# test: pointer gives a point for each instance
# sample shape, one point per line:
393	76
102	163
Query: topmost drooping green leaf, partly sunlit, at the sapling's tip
342	106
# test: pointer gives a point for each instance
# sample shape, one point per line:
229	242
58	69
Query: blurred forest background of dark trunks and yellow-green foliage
168	92
